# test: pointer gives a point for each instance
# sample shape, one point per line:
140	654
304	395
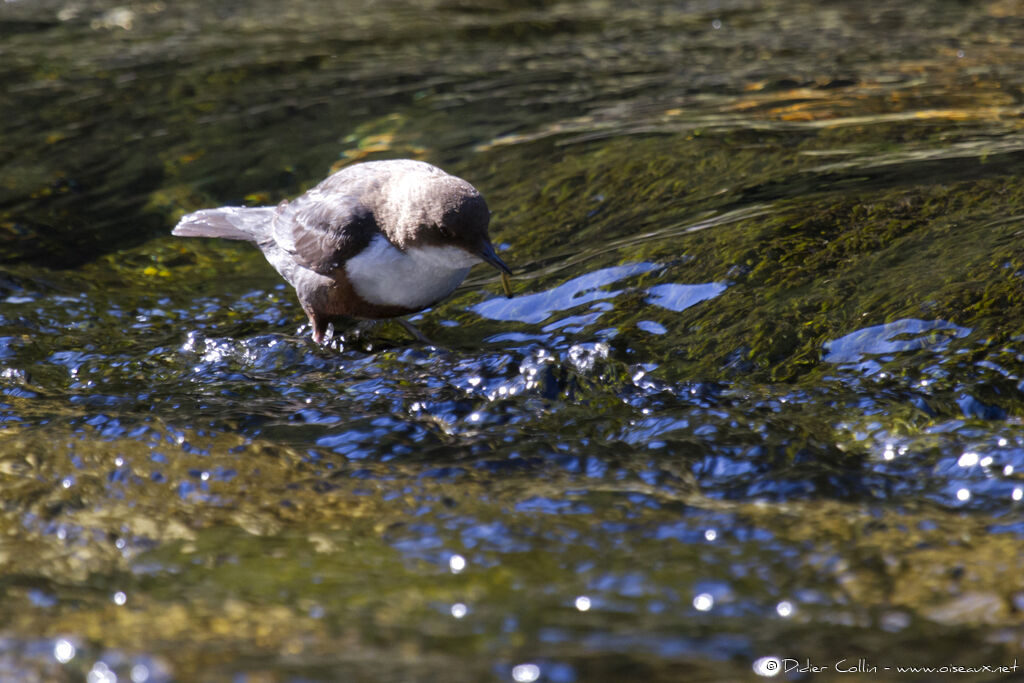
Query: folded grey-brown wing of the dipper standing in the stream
322	231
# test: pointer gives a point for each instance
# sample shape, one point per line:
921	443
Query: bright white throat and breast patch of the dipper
414	279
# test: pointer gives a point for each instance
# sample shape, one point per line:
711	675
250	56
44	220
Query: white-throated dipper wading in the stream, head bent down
375	240
